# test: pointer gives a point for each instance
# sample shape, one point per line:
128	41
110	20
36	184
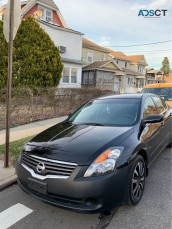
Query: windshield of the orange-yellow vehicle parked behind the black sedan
164	93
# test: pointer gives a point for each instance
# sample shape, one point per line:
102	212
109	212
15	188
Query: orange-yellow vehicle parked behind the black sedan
164	90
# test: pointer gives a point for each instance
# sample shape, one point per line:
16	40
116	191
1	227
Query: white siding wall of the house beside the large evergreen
73	42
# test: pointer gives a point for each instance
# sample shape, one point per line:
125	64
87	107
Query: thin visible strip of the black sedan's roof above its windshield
124	96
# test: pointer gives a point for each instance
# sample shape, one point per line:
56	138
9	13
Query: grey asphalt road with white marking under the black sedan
153	212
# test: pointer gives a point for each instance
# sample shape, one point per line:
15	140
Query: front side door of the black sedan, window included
152	133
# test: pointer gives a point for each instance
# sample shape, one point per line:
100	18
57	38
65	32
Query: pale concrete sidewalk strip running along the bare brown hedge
30	129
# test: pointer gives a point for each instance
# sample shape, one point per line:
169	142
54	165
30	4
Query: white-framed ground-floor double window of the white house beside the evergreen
69	75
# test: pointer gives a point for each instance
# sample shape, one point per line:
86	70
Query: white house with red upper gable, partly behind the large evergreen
68	41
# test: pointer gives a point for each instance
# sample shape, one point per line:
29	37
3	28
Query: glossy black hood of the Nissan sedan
76	143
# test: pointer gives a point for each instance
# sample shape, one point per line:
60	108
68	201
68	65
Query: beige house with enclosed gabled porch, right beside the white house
99	70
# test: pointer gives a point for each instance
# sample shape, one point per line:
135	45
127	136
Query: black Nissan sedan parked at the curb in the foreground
100	156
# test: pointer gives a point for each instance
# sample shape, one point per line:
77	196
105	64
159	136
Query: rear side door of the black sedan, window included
166	125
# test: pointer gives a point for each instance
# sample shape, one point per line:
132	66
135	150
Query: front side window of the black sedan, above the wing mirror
149	108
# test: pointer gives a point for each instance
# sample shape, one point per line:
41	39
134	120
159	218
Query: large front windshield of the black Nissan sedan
108	112
